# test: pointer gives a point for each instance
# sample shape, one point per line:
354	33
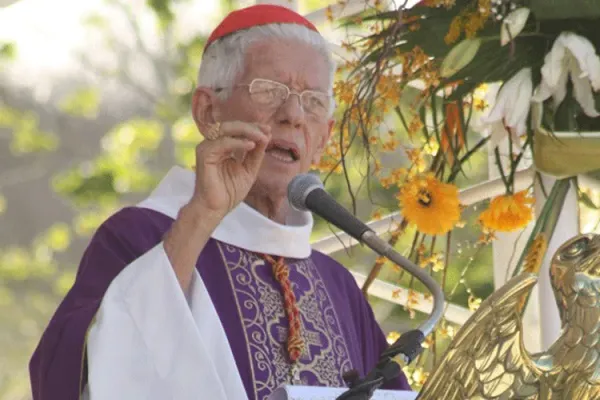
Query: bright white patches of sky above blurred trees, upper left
48	31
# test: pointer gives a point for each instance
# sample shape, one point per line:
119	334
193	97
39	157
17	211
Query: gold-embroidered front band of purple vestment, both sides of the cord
260	306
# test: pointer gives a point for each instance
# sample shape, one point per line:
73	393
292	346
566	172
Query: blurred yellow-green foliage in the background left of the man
132	158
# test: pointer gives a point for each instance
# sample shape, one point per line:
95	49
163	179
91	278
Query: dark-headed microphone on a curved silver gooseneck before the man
306	193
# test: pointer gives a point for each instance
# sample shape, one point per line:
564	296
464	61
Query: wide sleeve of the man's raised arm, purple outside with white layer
126	330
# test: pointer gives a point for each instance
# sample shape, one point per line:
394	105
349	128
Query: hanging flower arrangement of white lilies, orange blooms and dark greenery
506	76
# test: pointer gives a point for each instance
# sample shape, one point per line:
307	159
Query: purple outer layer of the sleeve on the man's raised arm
58	366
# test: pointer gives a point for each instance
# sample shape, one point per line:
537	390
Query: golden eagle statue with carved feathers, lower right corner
487	359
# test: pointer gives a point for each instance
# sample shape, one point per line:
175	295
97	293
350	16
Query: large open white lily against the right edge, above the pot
572	55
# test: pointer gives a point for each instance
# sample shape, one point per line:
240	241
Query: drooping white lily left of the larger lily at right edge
511	109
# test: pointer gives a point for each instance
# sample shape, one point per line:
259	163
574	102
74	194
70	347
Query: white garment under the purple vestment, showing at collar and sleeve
148	341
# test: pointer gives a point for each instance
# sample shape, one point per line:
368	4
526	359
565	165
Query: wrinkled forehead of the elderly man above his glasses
287	61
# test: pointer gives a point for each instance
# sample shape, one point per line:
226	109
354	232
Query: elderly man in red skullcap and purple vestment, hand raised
209	288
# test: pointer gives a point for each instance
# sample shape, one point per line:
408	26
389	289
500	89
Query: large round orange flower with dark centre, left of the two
431	205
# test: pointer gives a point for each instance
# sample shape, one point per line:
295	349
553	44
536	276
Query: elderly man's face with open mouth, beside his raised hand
298	136
